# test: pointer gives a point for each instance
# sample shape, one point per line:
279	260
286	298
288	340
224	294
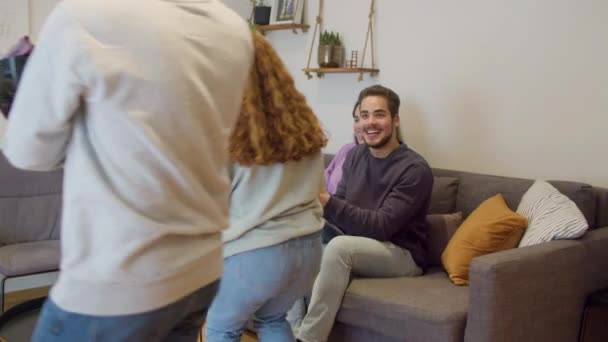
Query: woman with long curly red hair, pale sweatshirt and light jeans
273	245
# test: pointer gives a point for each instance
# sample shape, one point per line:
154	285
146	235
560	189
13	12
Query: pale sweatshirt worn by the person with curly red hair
272	204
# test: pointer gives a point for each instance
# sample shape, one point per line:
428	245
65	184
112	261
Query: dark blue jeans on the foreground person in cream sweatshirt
180	321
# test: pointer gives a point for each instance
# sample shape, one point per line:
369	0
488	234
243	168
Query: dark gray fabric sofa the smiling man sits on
534	293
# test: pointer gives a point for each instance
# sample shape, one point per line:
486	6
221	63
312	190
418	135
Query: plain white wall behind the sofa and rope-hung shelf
516	88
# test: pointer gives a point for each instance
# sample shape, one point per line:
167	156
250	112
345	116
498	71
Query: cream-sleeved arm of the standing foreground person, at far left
40	123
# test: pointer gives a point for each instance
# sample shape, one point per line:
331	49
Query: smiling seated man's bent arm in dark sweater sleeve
404	200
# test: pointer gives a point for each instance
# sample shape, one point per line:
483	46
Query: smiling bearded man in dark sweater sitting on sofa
380	204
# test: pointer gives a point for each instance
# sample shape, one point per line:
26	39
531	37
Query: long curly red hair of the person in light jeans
275	125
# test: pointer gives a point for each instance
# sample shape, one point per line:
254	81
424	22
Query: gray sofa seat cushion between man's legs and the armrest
425	308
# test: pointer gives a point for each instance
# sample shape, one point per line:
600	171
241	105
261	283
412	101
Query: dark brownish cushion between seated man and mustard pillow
441	227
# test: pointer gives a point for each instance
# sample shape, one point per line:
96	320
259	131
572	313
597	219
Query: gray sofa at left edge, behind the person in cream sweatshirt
30	207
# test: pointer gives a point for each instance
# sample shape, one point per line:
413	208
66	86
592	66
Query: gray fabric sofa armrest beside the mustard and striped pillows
534	293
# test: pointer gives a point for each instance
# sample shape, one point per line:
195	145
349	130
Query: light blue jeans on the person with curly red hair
263	284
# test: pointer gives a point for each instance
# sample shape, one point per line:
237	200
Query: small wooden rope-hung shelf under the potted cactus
369	38
